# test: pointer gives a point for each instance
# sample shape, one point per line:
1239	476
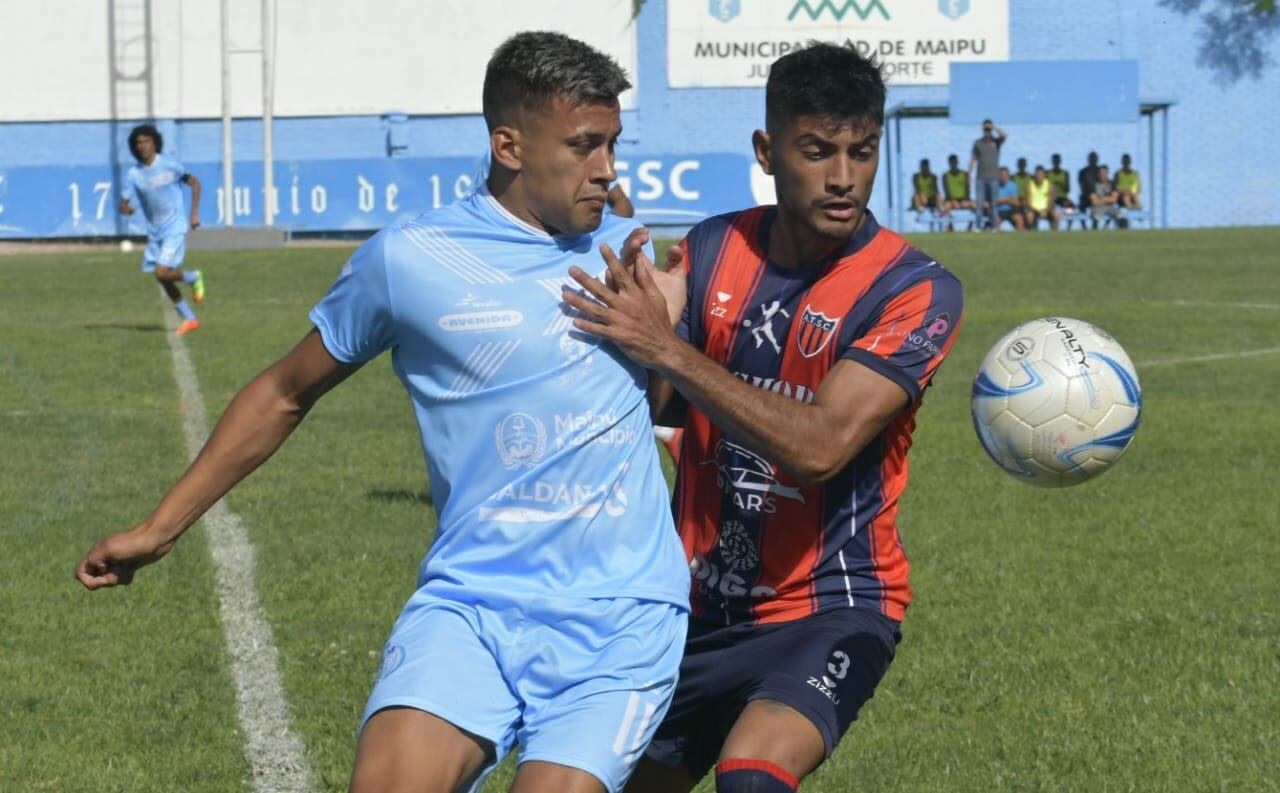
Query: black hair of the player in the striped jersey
824	80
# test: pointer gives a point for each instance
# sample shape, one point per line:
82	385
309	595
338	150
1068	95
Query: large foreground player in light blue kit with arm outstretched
552	607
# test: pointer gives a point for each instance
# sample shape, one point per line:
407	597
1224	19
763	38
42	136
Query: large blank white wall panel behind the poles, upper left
332	57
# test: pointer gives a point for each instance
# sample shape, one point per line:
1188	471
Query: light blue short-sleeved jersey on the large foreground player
537	437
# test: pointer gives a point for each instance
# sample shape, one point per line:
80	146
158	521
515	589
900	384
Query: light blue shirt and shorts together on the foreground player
552	608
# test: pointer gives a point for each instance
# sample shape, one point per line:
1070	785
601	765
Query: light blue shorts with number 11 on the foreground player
582	684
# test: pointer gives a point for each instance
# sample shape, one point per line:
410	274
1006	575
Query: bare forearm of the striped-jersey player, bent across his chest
785	432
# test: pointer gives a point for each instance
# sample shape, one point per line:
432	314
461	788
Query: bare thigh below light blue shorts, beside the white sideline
410	751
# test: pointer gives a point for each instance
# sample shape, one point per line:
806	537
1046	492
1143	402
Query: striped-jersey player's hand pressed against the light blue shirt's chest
632	314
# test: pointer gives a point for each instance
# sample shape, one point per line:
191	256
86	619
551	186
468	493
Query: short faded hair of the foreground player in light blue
532	70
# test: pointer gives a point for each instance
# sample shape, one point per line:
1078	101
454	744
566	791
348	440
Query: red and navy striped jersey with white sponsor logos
764	548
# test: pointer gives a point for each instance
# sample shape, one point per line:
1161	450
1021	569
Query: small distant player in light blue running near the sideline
156	187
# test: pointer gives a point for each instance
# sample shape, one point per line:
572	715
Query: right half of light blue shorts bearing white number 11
600	686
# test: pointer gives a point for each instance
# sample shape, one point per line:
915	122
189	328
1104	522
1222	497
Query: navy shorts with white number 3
825	666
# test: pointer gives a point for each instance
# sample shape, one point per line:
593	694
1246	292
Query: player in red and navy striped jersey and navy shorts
810	337
